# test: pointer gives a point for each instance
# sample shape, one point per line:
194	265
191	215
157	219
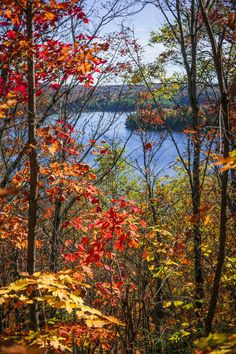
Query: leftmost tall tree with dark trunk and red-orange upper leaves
25	44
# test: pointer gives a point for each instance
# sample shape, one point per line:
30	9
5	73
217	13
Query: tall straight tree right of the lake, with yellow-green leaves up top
181	35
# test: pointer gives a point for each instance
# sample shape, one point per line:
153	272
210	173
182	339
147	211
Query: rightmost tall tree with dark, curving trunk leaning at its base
210	13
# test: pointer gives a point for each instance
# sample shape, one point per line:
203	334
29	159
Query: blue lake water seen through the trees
161	153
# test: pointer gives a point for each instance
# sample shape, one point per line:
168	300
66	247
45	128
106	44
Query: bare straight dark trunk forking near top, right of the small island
191	71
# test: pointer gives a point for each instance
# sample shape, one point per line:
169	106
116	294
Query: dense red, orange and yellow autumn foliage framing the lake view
92	261
